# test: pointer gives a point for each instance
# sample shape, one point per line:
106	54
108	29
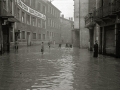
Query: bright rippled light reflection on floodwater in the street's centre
58	74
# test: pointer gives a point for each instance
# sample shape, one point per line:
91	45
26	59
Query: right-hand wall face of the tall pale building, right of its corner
84	32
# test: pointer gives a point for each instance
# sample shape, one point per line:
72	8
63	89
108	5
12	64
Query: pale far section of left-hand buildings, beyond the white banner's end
53	30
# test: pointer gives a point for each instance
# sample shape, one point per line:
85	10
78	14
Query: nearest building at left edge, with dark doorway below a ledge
7	20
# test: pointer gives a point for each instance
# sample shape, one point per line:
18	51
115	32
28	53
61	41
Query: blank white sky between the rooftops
65	6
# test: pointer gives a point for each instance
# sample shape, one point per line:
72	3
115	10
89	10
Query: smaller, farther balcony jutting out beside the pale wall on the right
89	21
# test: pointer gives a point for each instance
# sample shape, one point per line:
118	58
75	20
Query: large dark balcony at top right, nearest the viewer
107	12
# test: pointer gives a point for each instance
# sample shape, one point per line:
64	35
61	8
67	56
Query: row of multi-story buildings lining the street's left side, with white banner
28	22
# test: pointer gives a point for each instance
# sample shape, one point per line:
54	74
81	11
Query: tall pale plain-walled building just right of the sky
80	33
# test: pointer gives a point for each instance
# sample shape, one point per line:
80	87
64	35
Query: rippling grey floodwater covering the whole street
58	69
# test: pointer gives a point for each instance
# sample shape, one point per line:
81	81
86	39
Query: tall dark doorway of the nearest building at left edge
6	43
